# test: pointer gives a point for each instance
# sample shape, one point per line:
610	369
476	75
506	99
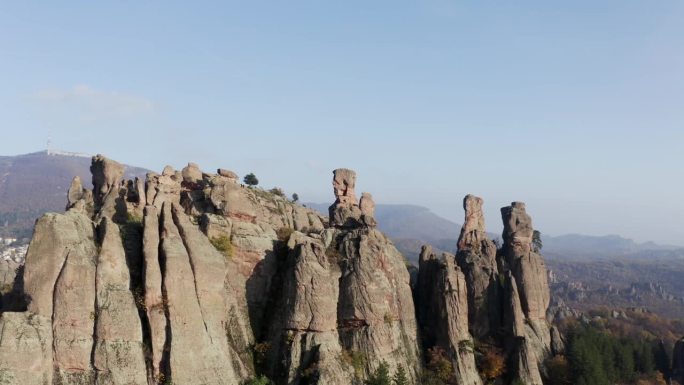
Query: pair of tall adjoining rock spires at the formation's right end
508	291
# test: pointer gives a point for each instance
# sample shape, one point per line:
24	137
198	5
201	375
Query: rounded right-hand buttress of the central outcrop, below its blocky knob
376	314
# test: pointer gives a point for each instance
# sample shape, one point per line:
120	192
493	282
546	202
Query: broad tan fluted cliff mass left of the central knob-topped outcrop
125	285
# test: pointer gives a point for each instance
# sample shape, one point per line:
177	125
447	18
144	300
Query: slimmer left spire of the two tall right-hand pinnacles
476	257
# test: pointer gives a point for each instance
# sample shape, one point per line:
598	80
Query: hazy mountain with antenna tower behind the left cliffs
32	184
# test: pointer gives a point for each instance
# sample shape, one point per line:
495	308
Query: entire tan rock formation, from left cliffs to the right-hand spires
191	278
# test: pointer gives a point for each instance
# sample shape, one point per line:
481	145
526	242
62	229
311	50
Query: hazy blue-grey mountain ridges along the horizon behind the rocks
32	184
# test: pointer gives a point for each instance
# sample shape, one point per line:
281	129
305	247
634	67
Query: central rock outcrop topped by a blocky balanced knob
343	300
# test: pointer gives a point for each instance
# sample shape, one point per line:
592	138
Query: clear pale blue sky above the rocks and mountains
575	107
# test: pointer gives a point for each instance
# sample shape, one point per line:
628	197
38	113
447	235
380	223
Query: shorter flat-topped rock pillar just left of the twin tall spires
442	304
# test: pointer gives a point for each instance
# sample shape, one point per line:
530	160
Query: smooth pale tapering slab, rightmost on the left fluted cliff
192	305
